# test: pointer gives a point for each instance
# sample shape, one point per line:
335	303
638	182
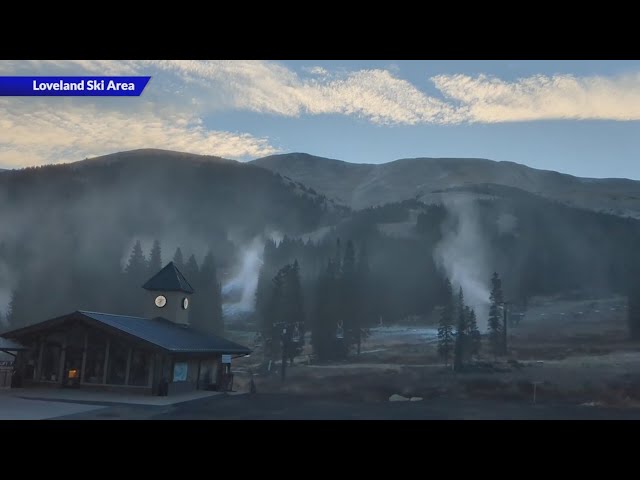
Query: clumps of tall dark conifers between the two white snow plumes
337	313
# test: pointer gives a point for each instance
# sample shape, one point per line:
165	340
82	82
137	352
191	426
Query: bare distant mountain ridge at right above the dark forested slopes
364	185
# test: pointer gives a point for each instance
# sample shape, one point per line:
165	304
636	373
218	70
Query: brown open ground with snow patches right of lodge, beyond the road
573	351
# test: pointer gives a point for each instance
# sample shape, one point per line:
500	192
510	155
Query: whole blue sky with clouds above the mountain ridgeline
576	117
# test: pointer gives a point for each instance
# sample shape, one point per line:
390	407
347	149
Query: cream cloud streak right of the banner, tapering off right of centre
271	88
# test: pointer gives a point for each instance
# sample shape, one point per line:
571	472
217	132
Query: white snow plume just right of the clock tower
239	291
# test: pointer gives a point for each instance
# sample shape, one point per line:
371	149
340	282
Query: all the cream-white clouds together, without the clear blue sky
169	113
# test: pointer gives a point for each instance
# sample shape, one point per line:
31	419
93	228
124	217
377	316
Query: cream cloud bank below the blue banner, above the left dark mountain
48	132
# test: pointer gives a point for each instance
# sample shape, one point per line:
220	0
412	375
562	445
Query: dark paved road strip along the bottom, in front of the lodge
288	407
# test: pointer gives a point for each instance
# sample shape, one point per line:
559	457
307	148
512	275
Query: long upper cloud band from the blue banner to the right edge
381	97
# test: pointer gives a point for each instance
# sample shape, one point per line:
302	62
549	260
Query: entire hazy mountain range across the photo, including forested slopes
67	231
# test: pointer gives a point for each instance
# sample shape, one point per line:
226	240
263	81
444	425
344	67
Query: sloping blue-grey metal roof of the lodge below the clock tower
168	335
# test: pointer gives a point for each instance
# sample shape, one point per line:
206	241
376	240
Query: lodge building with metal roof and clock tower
158	354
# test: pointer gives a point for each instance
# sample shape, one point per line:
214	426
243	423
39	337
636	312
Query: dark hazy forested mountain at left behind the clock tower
98	206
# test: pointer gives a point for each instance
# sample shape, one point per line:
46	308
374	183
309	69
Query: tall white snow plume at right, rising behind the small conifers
462	253
